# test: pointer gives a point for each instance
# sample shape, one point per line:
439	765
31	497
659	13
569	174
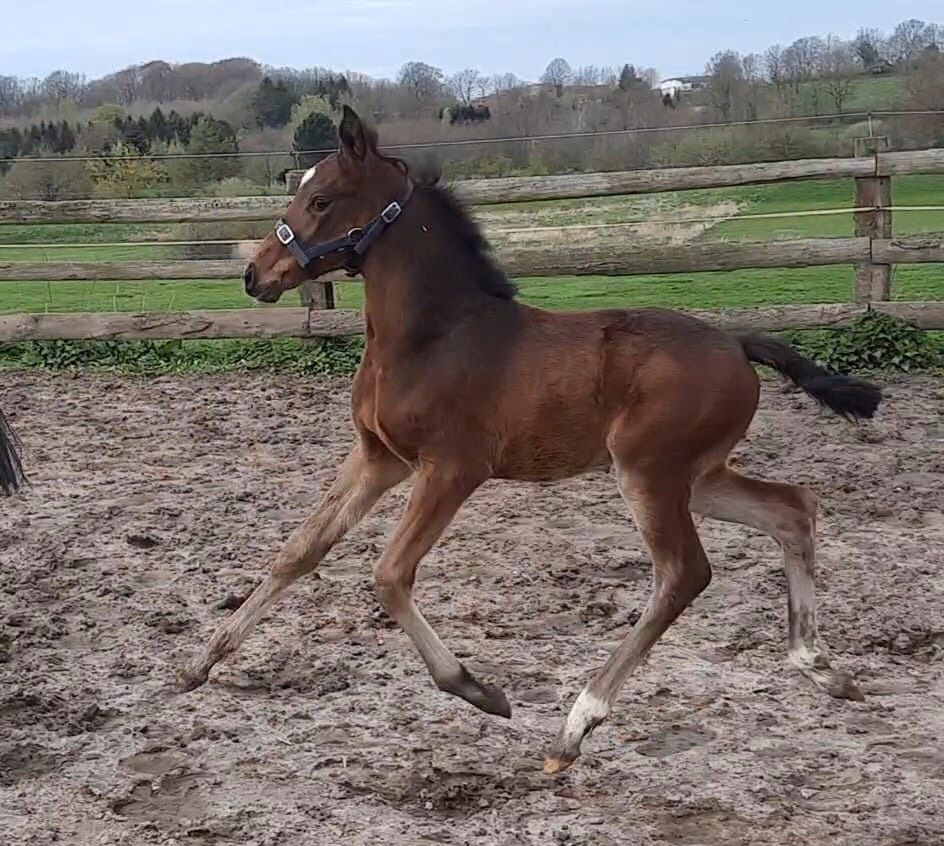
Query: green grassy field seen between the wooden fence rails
704	290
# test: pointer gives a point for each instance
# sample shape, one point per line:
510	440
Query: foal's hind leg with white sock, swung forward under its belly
660	505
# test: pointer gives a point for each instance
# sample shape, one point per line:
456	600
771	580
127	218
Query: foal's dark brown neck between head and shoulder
421	281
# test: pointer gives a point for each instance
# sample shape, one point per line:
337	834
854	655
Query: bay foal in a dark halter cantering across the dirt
459	383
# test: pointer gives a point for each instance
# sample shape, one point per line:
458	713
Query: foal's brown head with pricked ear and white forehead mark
343	192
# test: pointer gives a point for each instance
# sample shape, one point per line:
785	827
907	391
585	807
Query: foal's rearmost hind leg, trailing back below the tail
788	514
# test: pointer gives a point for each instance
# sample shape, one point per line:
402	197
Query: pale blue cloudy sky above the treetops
376	37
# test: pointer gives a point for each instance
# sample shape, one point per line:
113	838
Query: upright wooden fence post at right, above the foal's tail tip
873	281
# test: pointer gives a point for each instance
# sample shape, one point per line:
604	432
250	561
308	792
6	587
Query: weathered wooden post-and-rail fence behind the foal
872	251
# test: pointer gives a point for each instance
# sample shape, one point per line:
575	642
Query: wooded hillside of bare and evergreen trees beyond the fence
237	106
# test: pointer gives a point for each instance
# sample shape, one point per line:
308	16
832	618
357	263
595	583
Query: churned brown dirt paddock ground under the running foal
156	504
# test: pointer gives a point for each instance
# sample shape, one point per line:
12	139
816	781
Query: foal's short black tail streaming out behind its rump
853	398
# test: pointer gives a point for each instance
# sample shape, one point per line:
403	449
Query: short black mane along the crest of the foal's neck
453	215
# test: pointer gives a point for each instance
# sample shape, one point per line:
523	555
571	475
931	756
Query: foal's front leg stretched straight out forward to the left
368	472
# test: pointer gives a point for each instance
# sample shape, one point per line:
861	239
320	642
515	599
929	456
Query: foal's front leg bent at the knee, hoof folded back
435	500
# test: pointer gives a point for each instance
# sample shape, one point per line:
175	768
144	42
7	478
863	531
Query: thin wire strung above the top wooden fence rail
463	142
